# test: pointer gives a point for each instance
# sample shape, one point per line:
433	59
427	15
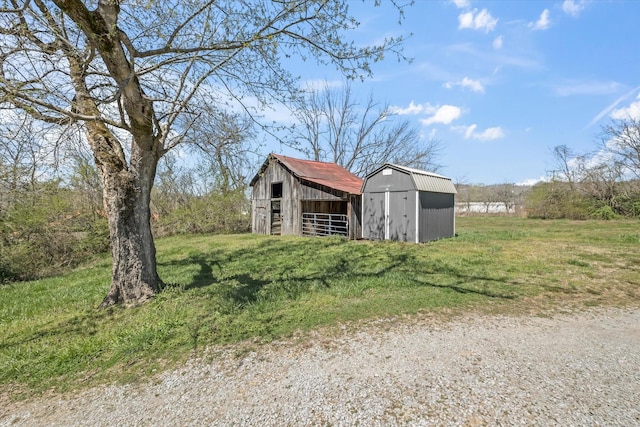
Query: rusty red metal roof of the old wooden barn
328	174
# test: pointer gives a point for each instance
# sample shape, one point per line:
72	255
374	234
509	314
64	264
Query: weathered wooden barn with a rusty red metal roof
303	197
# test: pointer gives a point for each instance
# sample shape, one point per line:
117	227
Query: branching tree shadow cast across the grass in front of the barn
245	273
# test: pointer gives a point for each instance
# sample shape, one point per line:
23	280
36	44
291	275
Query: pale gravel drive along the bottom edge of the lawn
567	370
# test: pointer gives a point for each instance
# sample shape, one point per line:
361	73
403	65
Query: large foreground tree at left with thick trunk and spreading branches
127	71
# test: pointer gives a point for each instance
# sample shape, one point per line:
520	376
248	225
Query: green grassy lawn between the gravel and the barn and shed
226	289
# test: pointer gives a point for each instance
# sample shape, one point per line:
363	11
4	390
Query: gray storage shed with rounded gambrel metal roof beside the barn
406	204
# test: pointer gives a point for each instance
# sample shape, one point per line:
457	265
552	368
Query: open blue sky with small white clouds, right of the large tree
500	83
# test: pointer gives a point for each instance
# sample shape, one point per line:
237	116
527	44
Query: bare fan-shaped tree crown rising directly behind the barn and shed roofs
334	126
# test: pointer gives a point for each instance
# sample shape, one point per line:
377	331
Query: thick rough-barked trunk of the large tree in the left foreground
134	277
